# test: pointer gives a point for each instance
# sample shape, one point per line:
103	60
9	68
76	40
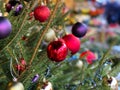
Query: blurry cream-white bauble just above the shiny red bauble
50	36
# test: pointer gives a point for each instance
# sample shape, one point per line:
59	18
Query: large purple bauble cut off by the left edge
5	27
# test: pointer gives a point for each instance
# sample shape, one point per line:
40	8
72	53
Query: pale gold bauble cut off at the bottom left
15	86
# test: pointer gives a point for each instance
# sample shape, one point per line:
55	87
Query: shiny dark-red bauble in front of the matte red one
57	50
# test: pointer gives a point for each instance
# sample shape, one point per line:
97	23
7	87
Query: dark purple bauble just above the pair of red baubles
79	29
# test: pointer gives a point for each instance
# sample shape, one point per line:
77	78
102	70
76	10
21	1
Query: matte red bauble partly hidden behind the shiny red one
72	42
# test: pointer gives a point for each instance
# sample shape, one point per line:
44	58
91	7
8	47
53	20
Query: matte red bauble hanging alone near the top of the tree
41	13
